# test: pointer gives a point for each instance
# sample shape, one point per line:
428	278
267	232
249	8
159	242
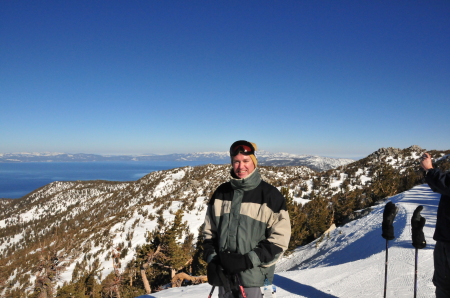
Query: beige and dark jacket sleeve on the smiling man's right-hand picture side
269	250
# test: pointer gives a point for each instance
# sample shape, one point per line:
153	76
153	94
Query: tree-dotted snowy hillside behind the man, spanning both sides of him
101	230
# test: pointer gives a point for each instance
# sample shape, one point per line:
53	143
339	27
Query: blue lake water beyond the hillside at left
19	179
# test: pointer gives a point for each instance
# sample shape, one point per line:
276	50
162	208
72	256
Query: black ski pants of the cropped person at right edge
441	277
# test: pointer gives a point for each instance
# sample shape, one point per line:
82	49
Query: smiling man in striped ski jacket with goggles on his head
247	227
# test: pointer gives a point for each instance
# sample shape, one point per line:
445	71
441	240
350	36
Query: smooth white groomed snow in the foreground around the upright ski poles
350	260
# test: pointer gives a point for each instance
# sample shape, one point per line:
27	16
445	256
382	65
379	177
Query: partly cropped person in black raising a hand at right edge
440	182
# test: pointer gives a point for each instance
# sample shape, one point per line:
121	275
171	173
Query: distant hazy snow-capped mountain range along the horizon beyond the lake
316	163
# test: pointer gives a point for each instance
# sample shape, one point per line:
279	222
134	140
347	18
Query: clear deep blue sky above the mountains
330	78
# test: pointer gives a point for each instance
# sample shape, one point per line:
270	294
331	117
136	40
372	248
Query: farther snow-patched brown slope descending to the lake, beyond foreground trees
98	216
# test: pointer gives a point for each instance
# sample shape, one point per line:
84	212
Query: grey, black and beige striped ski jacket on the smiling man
248	216
